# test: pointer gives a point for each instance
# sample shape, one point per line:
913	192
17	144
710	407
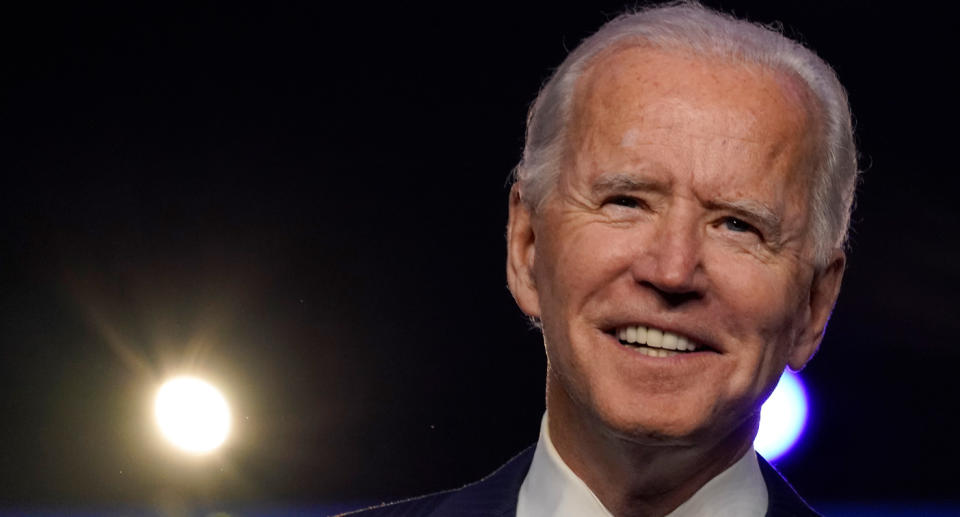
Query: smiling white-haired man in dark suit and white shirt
676	230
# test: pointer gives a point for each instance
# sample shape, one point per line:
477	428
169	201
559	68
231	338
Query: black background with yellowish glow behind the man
306	205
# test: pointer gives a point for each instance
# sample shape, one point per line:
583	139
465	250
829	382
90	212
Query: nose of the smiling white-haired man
671	264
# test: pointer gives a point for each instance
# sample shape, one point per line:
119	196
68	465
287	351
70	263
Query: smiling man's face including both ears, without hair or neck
682	212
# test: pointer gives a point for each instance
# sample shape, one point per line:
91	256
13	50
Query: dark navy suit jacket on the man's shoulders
496	496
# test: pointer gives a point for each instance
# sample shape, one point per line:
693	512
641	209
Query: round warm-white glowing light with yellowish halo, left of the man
192	414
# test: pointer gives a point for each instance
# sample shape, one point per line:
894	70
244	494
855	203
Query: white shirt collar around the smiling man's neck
551	489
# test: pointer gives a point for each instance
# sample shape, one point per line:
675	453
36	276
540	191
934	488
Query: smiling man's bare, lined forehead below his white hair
635	95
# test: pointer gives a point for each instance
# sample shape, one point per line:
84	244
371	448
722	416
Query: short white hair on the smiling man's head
693	28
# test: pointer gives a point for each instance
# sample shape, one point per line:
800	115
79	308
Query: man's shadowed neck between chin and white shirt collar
634	477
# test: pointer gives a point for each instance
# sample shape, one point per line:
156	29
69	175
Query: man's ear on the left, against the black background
520	255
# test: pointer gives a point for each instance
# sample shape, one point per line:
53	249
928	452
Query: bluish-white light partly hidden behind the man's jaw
782	417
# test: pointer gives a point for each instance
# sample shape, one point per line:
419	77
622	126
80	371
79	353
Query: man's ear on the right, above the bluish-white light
824	290
